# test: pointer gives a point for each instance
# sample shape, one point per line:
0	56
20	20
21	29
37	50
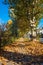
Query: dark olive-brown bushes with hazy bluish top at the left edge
5	35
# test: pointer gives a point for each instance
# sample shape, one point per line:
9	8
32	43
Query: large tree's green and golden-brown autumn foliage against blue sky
26	13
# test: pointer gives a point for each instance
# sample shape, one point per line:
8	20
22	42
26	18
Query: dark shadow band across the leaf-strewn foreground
23	58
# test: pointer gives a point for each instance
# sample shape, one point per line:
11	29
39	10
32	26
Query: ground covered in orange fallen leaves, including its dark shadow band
22	53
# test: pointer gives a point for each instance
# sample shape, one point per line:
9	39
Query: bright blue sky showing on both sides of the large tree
4	17
